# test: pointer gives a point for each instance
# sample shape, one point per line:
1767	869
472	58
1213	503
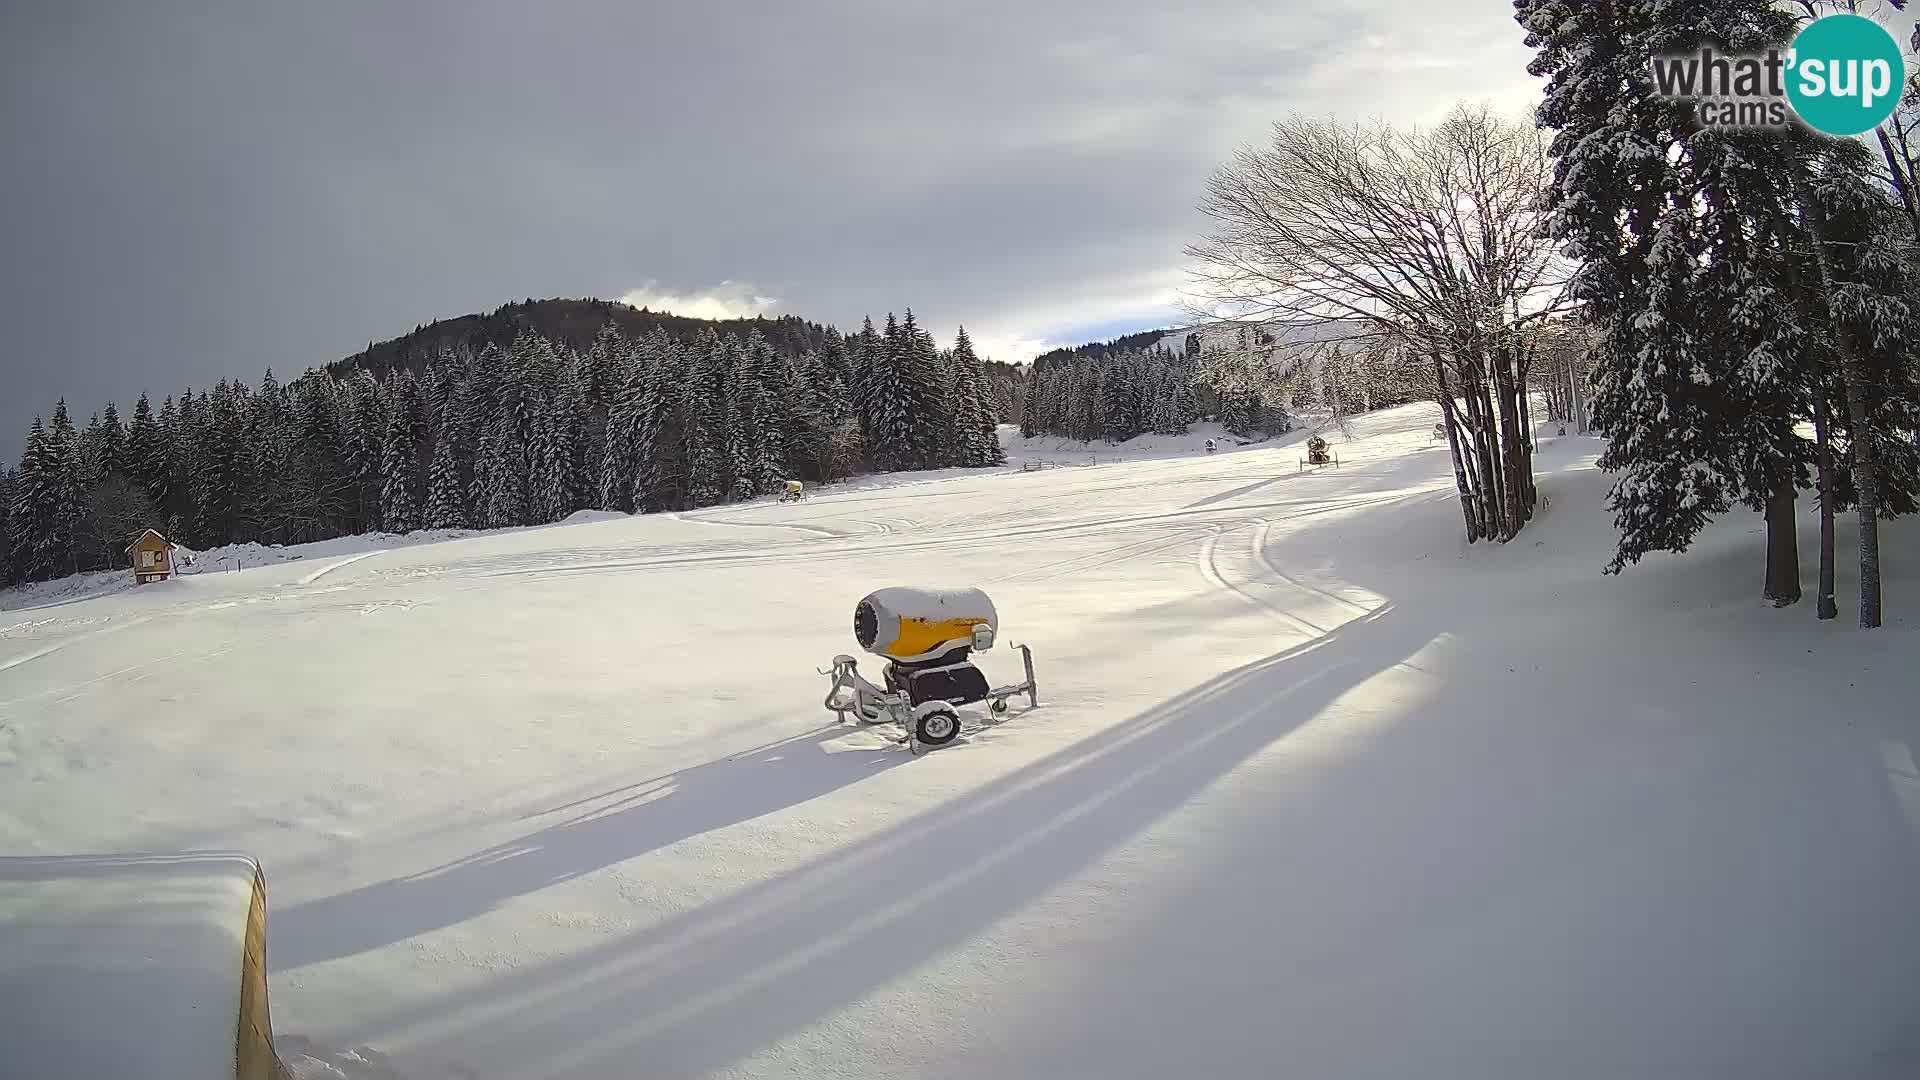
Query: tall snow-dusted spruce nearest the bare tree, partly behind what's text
1691	387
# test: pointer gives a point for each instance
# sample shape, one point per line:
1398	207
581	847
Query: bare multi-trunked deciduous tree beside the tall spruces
1428	239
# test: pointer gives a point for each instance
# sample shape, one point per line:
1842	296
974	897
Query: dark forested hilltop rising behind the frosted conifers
567	324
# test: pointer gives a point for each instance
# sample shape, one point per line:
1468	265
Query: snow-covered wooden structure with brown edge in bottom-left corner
135	966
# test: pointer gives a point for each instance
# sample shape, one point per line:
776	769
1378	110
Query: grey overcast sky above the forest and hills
201	191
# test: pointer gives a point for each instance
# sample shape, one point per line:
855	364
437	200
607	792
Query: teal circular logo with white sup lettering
1846	74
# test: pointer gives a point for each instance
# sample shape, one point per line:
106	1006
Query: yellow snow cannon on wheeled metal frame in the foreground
926	639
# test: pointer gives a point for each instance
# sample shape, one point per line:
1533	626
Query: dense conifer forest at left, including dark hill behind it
492	431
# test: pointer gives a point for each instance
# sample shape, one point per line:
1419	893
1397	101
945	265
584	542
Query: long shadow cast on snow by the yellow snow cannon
592	835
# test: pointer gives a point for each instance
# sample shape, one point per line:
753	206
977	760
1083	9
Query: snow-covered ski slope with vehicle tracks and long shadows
1314	789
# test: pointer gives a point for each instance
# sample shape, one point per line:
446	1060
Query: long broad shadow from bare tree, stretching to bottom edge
721	983
